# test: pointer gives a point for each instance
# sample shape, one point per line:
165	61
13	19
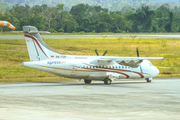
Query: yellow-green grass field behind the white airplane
14	52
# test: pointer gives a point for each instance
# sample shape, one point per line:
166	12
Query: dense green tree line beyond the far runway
86	18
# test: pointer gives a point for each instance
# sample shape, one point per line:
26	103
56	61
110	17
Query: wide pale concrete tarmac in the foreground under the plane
73	100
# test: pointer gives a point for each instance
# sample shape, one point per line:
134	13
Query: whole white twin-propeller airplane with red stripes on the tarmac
98	68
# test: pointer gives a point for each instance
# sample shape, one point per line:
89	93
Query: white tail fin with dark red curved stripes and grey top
37	48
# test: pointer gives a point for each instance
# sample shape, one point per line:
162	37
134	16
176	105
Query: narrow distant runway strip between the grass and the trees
92	36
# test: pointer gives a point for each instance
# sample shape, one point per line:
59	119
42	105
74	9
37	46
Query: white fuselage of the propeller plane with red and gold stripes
83	69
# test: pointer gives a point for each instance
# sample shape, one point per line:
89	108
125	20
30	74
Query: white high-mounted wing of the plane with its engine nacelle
127	61
